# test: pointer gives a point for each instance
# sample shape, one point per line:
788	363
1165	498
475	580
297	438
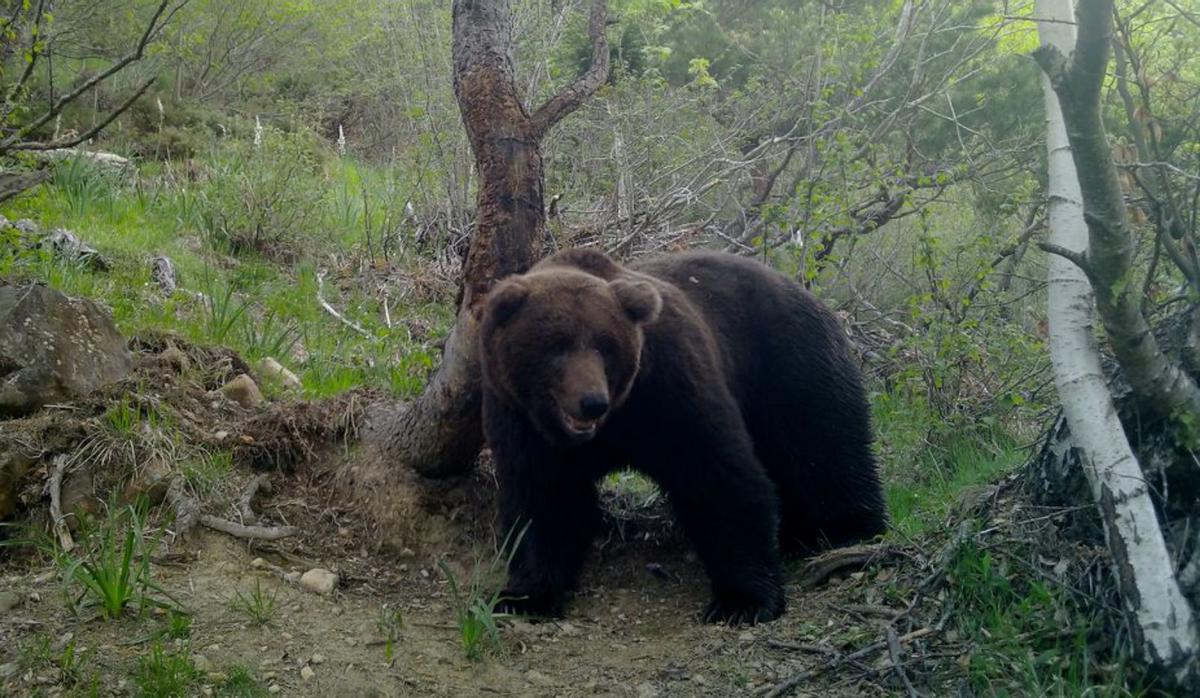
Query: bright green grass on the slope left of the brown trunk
260	303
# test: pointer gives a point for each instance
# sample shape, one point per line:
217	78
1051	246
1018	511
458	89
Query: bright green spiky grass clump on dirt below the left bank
111	568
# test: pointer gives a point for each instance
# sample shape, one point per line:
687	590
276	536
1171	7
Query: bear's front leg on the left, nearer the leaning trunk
549	509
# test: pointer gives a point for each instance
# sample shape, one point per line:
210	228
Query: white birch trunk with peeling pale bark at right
1160	616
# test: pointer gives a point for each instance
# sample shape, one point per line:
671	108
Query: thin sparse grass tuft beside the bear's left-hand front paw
475	606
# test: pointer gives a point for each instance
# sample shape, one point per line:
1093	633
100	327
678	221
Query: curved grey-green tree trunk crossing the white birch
1108	261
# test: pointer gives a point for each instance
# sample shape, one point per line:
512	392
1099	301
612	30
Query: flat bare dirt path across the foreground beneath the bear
631	633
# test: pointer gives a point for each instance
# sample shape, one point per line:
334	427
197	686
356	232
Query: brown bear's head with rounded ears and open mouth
563	346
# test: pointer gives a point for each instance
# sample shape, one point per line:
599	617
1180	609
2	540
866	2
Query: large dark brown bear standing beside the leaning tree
724	382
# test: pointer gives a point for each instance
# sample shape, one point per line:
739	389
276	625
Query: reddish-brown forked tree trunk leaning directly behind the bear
440	434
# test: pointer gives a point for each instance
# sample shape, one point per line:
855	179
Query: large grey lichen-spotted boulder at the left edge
55	348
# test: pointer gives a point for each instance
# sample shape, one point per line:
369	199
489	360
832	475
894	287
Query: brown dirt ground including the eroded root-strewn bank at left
632	630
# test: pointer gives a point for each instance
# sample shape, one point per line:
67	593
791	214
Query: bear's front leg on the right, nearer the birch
728	507
